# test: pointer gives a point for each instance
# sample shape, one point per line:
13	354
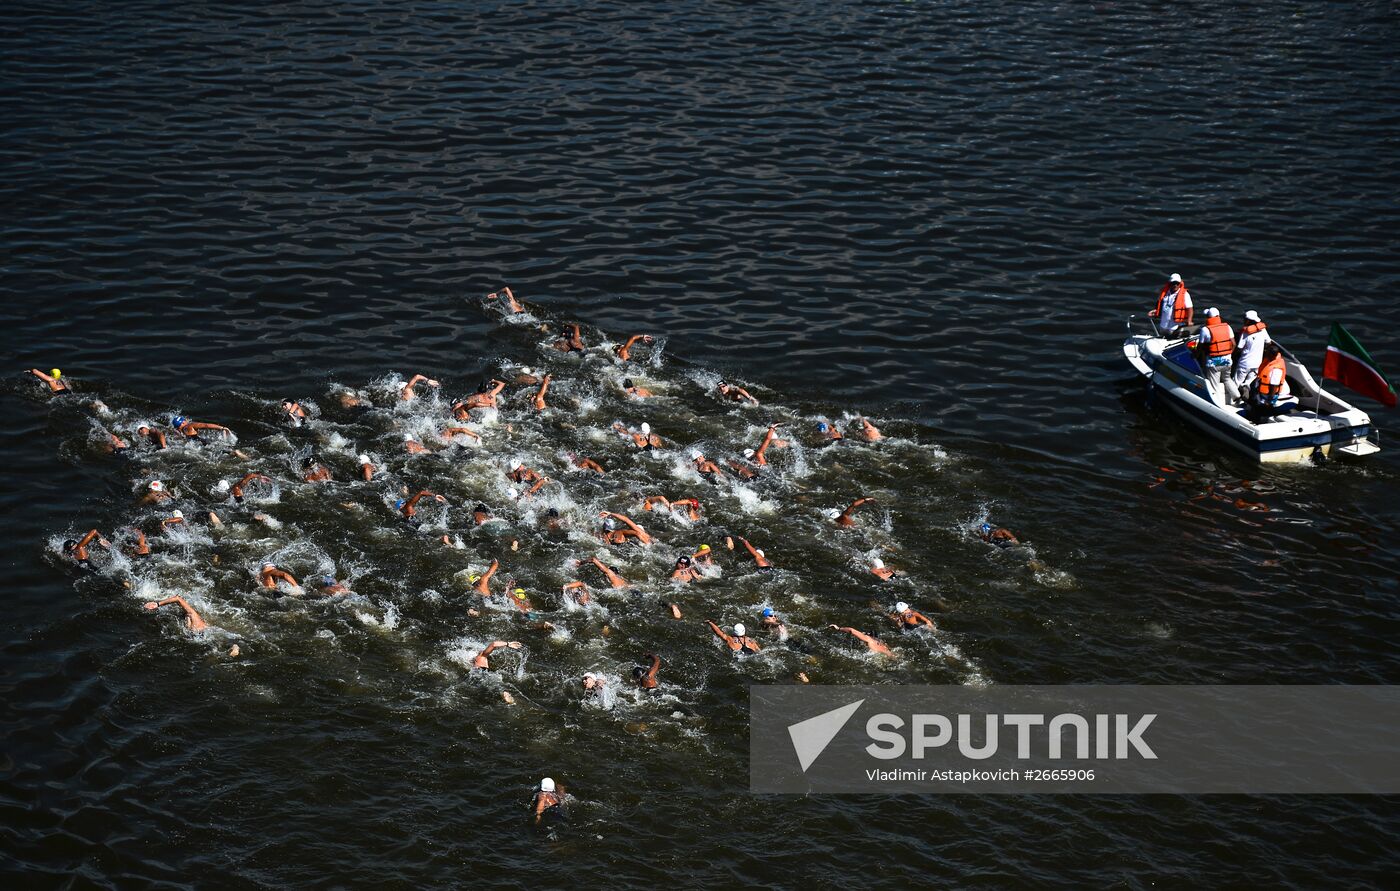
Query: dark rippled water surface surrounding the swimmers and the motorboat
937	214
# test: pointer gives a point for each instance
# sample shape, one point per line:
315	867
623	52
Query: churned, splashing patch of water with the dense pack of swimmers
587	508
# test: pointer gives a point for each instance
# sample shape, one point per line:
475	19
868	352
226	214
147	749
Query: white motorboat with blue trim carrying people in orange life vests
1310	422
